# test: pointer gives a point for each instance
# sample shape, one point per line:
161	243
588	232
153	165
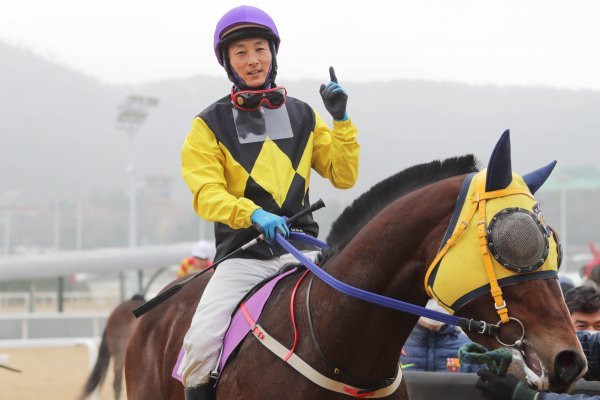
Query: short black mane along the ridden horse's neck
379	196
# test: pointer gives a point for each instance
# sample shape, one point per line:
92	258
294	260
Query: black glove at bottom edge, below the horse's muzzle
494	387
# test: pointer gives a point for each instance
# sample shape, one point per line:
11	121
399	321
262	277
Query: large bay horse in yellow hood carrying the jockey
384	242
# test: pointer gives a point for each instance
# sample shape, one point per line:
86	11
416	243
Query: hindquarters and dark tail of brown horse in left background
119	326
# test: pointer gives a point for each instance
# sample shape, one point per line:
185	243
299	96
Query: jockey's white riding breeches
232	279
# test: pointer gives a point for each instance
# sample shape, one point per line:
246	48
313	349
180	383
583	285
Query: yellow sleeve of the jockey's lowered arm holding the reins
202	167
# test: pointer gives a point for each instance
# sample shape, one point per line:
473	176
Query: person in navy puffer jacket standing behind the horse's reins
433	346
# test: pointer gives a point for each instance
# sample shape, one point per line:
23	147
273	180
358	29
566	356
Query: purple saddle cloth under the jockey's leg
239	326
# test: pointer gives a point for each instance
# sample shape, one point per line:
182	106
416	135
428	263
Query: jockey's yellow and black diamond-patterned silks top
230	180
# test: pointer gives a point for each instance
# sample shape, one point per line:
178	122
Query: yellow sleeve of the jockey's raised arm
336	152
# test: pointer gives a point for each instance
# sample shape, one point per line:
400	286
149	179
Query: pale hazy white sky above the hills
523	42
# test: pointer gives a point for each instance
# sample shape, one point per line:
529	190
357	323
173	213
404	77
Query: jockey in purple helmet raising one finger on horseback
247	161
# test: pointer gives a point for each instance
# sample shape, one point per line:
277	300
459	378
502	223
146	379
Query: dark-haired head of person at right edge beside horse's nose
583	303
